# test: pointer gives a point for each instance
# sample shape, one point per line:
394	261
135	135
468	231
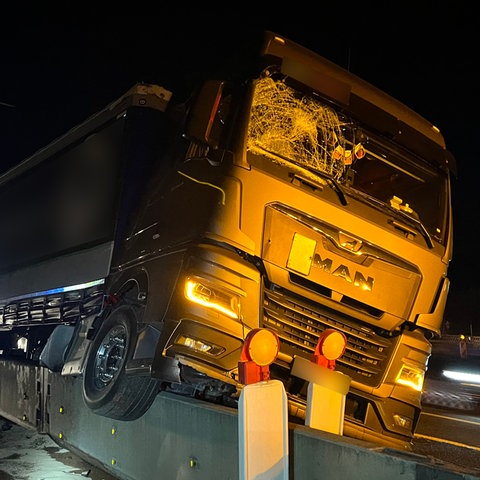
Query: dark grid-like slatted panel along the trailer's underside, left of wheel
65	307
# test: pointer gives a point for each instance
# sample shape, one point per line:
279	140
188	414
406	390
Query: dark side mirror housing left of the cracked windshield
203	124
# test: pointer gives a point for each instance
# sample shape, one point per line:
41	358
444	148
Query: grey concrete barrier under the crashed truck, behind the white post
183	438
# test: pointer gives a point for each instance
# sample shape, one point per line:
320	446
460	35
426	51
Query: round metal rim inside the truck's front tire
110	356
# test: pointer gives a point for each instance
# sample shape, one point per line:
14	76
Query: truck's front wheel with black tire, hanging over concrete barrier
107	390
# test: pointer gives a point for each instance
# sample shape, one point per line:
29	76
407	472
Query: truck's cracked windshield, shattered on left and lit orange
288	126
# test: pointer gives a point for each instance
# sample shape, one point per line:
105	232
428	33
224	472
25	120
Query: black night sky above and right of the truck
56	72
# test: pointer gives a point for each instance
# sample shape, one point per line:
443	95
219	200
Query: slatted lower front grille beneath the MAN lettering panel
299	322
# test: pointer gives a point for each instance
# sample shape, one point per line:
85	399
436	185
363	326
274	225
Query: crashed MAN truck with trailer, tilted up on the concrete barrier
140	248
